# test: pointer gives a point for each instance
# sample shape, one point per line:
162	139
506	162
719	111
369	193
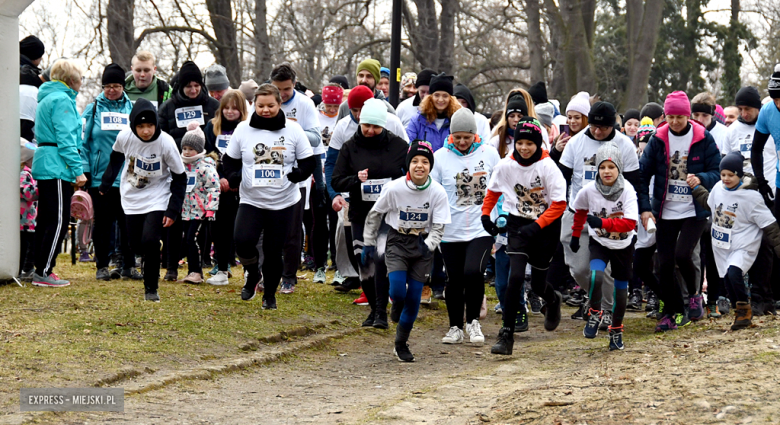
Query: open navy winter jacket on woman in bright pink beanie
703	161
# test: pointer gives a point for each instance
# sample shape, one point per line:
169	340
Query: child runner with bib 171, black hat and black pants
152	186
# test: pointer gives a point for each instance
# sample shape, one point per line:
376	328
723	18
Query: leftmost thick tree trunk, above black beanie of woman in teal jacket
119	14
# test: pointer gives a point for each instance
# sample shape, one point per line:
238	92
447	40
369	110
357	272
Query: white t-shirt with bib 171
145	183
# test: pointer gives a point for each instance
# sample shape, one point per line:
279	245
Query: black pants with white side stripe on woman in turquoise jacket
52	223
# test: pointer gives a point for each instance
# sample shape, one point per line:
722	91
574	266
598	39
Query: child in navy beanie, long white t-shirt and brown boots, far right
739	218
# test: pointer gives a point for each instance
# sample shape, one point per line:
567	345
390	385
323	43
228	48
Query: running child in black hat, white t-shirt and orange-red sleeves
535	196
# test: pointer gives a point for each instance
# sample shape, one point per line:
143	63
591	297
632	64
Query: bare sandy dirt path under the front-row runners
702	374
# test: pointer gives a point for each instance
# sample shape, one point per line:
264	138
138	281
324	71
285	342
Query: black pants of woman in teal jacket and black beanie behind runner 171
108	210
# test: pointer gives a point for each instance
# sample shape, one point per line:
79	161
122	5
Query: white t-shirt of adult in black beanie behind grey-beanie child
580	156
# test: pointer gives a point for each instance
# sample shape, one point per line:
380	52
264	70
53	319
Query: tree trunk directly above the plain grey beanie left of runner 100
226	52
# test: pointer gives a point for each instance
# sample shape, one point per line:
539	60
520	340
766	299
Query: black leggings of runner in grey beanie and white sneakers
465	263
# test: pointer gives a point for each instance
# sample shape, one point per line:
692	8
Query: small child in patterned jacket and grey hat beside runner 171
202	198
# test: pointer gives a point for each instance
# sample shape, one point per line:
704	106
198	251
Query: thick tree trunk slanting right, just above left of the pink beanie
643	25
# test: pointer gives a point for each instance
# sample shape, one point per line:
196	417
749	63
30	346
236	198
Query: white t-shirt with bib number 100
267	157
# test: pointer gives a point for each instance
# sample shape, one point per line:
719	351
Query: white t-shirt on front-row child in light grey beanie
626	206
